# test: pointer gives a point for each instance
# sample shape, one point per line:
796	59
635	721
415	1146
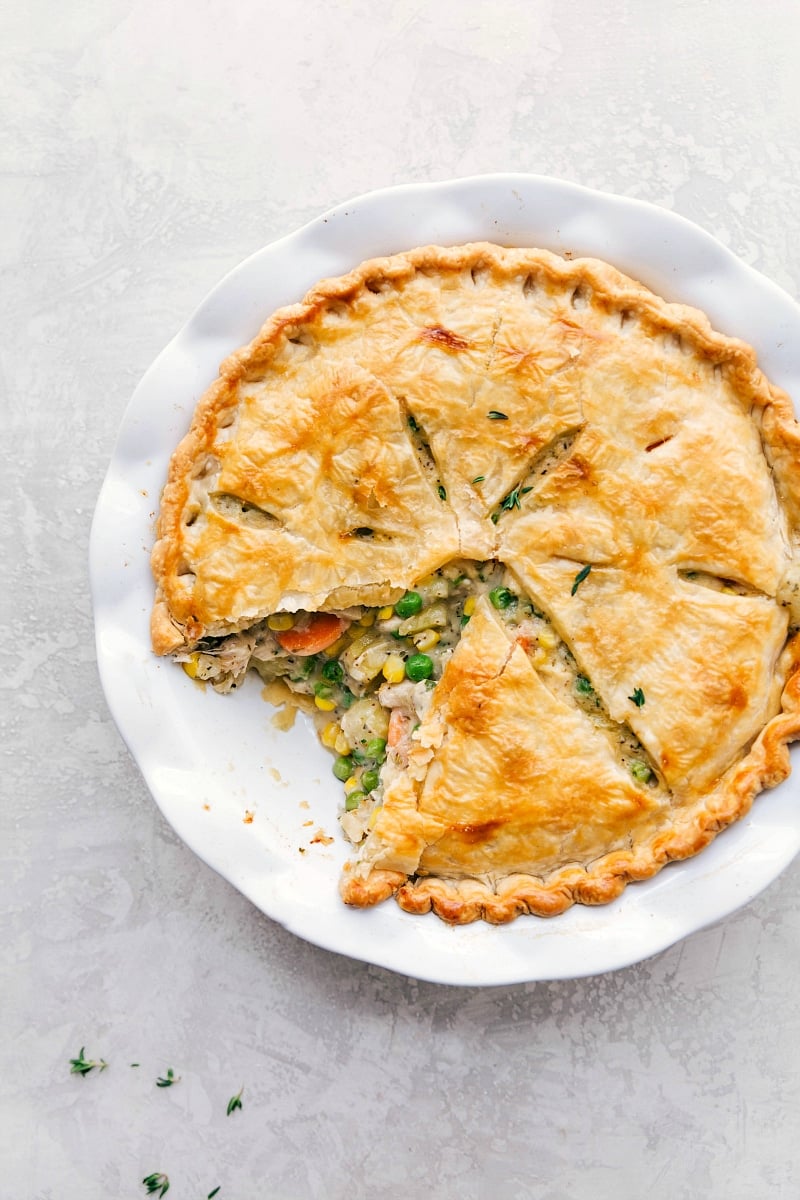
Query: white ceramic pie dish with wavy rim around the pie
249	799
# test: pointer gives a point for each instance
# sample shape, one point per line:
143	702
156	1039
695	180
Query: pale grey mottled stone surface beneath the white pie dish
148	148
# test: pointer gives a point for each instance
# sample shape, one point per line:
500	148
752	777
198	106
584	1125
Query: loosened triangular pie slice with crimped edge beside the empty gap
506	779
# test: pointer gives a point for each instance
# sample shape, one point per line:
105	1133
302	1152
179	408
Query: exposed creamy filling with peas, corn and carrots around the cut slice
369	674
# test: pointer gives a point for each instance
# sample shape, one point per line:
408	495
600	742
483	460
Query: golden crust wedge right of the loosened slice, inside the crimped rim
693	669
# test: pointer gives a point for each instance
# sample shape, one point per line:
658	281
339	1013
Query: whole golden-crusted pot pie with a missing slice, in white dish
524	538
